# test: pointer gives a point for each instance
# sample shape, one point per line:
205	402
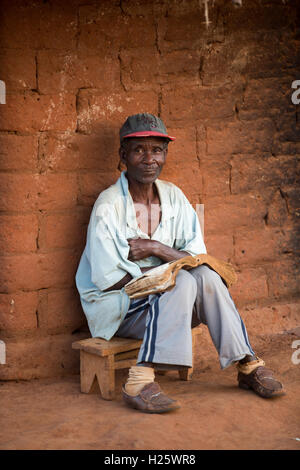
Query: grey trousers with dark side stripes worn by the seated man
164	320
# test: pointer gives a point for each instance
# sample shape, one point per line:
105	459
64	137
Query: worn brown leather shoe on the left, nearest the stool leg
150	400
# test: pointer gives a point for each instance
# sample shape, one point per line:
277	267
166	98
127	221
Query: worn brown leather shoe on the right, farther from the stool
262	382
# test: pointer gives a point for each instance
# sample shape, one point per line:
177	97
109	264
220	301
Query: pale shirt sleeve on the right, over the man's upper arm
188	231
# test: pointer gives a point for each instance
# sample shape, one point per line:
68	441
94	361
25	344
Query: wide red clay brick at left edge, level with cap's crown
29	112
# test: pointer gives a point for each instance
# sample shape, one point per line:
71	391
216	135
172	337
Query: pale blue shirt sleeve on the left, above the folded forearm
107	248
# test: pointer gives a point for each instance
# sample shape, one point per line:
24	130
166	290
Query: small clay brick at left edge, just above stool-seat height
18	312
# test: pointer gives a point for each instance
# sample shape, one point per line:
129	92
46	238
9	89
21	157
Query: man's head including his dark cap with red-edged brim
144	146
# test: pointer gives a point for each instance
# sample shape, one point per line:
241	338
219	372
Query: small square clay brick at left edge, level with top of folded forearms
18	233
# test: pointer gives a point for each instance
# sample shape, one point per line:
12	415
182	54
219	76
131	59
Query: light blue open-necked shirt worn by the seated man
104	261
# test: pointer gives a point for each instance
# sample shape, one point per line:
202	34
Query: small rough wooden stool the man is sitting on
100	358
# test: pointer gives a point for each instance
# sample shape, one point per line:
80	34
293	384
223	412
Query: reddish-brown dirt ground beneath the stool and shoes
215	413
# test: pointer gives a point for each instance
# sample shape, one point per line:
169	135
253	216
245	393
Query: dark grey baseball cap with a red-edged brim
144	125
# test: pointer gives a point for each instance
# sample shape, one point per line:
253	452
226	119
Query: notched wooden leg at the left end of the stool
97	370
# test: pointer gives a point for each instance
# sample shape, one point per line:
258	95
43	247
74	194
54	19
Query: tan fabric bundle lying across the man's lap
163	277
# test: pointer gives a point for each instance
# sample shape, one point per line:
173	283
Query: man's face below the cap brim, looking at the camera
144	158
